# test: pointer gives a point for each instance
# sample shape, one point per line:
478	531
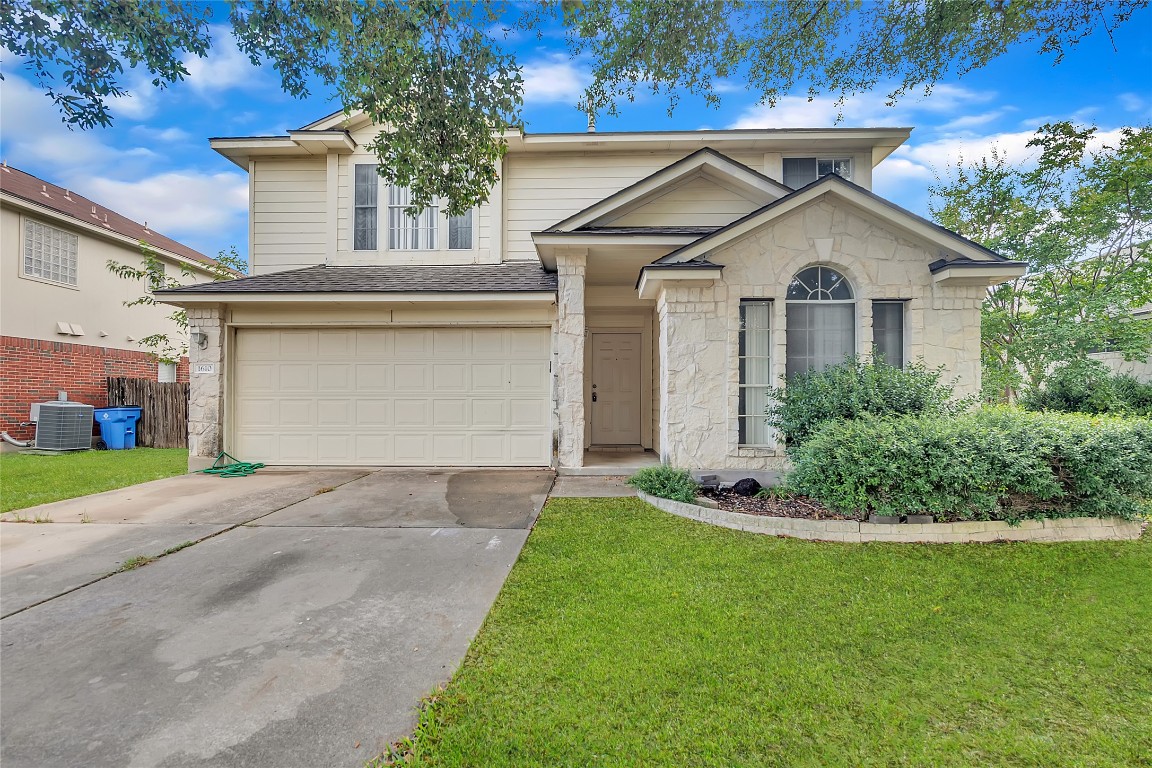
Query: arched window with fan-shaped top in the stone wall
822	321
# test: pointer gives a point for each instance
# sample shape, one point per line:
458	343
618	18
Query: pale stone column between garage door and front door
571	269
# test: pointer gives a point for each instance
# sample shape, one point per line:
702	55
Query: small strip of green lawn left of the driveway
28	481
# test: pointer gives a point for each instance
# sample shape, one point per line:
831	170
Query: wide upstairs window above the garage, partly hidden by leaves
428	231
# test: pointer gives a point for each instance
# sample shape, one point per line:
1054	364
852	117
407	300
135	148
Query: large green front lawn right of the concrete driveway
630	637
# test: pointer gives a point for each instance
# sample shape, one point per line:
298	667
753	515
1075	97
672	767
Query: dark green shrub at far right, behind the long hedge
1089	386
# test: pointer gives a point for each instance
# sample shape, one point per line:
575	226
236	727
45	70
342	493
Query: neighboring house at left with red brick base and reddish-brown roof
63	315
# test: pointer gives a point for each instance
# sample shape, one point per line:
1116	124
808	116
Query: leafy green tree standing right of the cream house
1083	224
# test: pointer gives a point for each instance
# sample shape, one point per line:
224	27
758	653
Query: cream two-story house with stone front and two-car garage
619	291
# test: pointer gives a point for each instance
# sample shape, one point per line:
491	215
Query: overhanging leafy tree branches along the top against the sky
446	86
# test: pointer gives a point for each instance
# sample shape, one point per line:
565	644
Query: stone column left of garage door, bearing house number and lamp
206	397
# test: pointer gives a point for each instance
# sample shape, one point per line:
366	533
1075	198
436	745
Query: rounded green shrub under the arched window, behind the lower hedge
853	390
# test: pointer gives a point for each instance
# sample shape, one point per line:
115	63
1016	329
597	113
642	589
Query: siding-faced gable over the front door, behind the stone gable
665	197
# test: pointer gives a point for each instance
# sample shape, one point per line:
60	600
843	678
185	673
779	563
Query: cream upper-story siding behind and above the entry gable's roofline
544	189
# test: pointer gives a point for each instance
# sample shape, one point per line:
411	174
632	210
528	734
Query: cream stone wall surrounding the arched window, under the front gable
700	325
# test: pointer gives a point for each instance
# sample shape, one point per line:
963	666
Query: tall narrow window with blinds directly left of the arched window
755	371
